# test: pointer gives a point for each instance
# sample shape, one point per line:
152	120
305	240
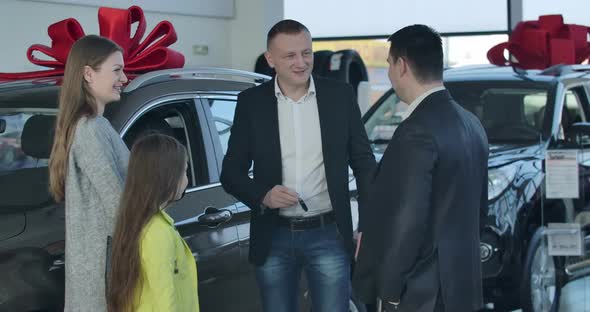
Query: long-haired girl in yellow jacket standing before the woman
152	268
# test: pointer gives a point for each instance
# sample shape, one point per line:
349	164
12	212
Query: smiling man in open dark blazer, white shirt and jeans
300	133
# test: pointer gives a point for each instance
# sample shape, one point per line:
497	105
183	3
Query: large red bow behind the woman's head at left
151	54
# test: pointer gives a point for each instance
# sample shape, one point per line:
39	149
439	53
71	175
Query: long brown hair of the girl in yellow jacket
156	166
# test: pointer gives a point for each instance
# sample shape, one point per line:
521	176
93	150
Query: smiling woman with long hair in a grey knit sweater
87	166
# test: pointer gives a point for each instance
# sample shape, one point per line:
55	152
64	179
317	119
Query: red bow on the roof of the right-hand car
543	43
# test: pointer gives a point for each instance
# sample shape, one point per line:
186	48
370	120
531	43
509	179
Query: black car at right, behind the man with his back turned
524	113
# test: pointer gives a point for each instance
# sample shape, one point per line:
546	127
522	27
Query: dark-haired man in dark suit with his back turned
420	246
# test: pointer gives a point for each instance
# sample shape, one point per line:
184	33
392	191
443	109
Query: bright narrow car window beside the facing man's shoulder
223	111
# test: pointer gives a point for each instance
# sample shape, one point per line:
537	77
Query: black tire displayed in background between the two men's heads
351	68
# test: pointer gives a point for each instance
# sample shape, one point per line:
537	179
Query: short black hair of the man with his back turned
421	46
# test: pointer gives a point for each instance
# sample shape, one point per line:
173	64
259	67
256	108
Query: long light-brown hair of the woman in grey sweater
75	101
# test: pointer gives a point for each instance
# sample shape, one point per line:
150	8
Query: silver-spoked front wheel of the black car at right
543	277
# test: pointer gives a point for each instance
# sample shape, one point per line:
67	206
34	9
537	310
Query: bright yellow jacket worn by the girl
168	280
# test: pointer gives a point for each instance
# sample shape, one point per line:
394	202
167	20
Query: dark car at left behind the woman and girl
196	107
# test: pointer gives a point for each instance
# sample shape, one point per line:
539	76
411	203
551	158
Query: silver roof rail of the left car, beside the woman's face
195	73
